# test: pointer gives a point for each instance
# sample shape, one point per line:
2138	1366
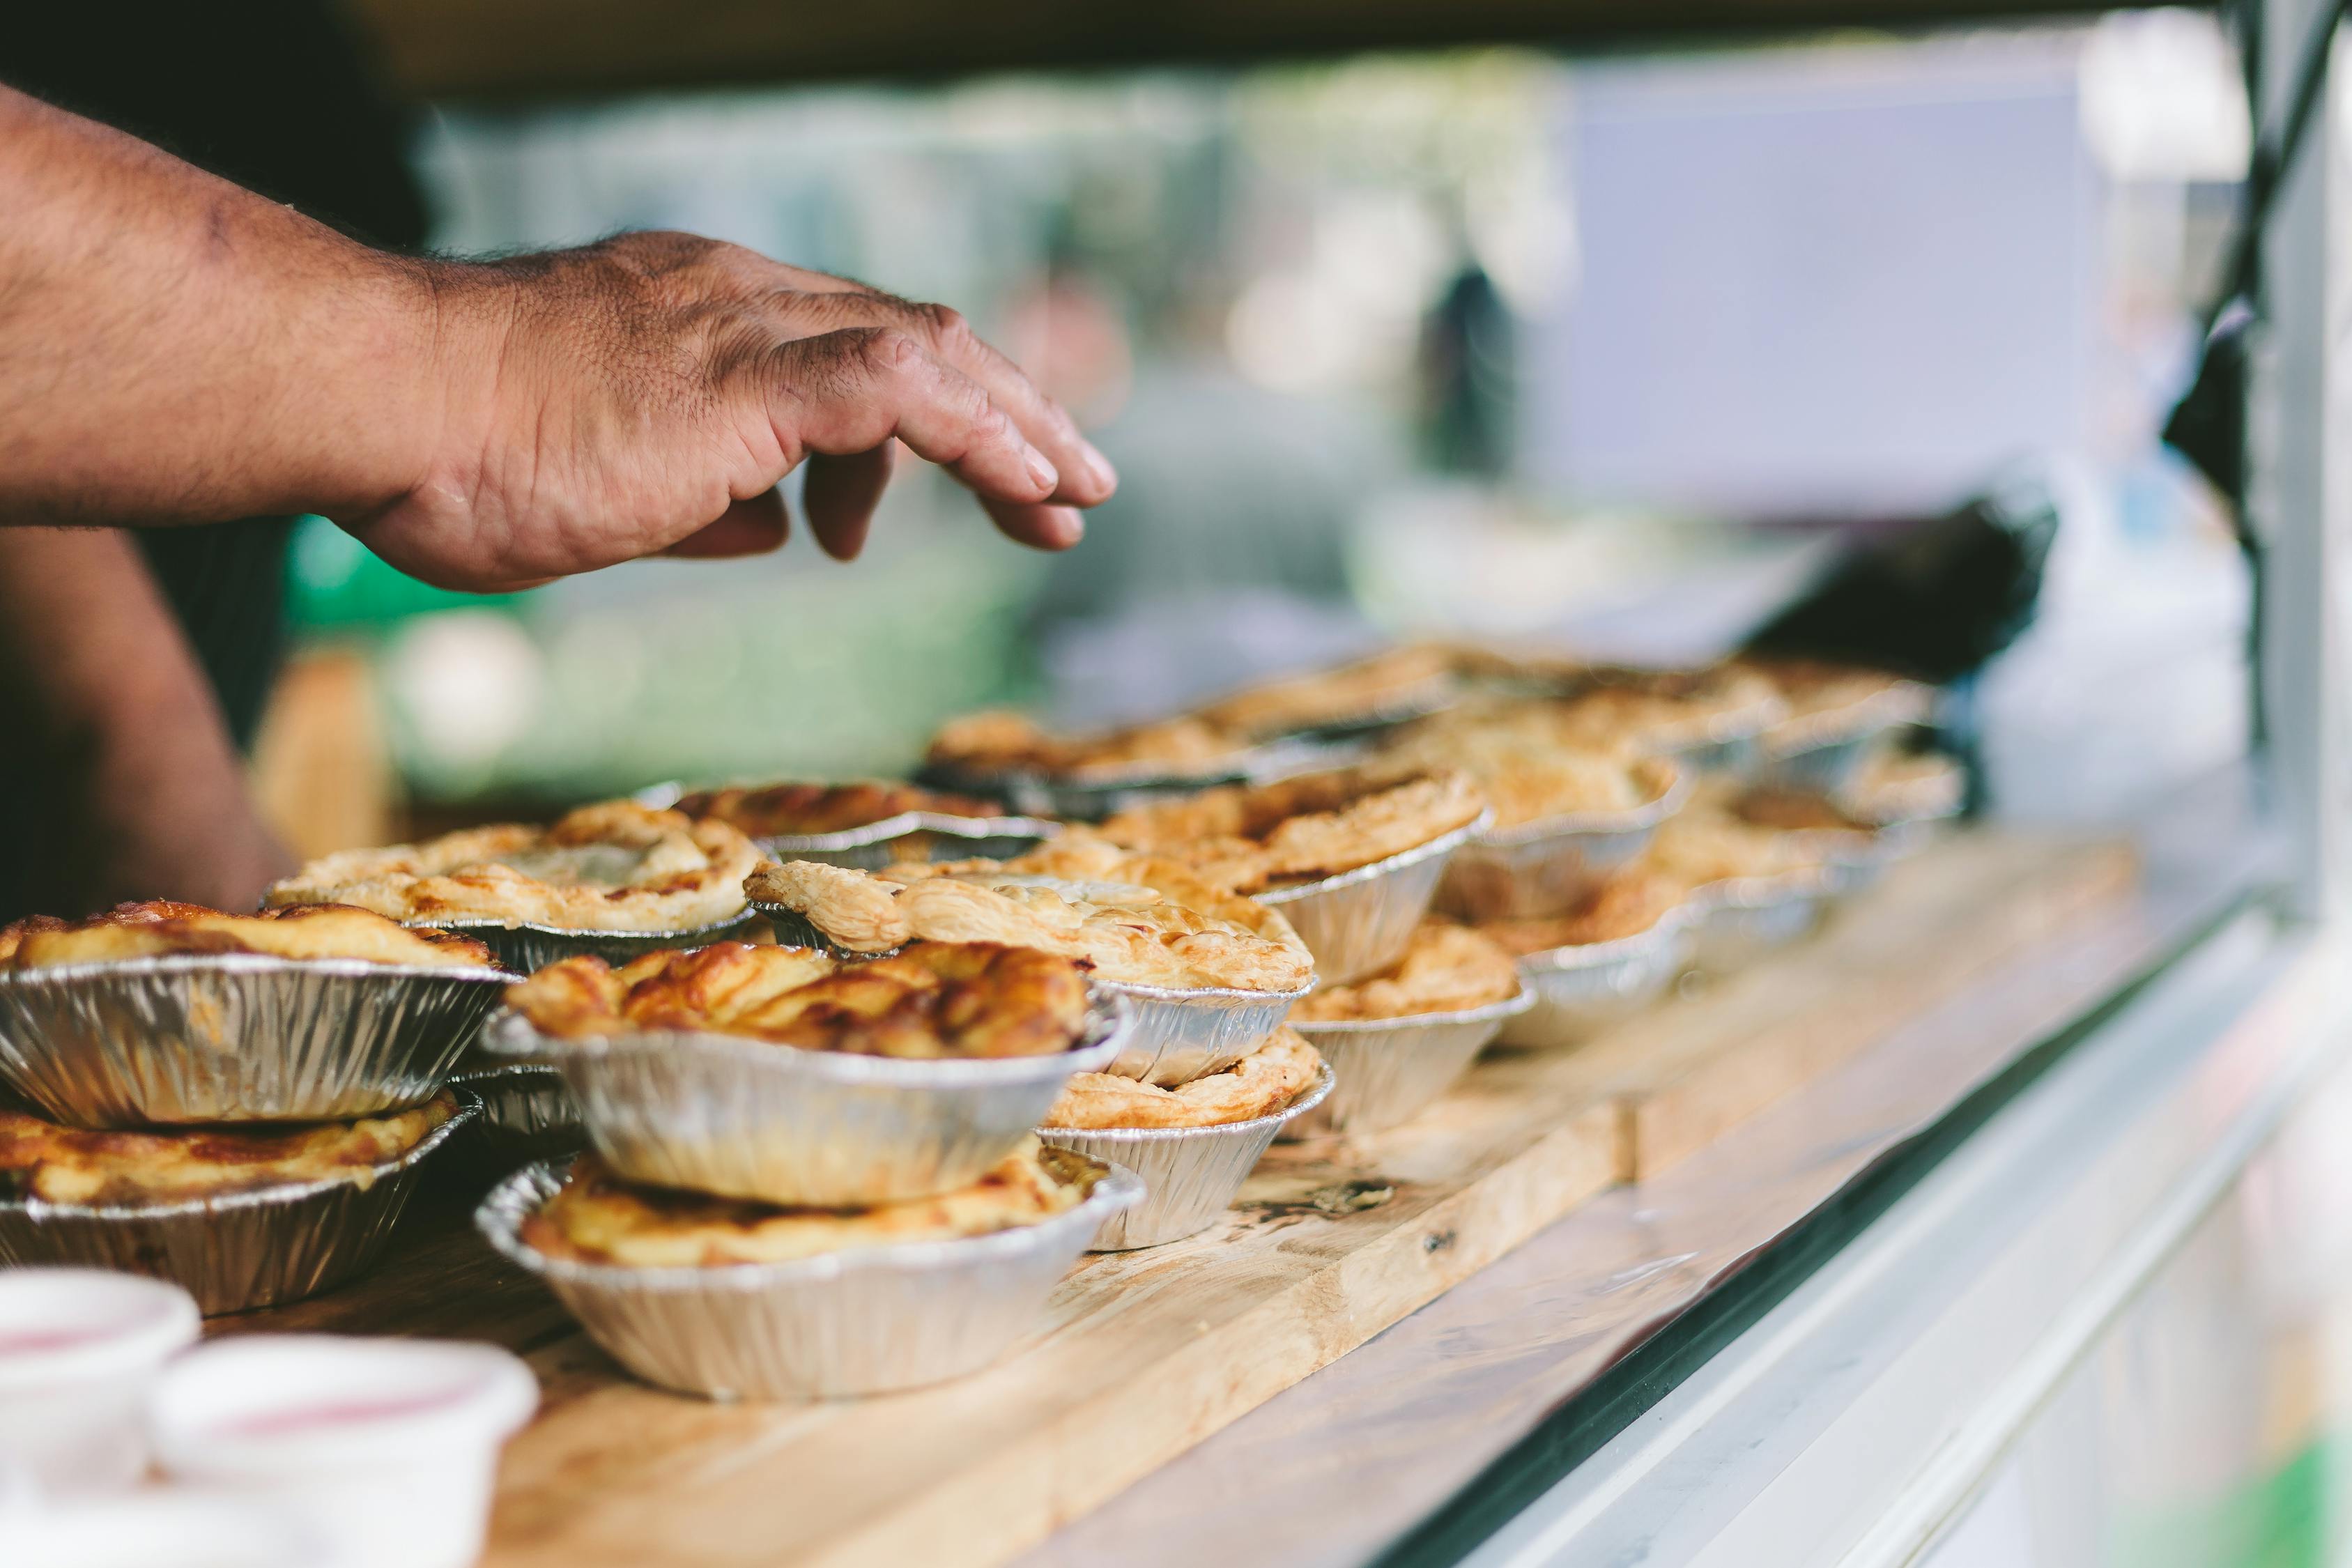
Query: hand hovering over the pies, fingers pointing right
648	394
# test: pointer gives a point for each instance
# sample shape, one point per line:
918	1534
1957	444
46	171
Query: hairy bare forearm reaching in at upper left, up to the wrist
175	349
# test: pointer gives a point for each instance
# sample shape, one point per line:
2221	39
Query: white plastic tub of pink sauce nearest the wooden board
385	1447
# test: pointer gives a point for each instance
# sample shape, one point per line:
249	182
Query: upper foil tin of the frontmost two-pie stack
782	1125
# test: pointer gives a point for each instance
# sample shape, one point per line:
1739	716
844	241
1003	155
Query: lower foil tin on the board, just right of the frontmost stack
1191	1174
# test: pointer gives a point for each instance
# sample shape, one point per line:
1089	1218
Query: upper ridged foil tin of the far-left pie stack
234	1038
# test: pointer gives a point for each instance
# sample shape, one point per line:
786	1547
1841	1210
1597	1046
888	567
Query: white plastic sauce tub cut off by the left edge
79	1358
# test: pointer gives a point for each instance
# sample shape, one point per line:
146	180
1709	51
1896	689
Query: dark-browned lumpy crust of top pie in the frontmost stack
935	1000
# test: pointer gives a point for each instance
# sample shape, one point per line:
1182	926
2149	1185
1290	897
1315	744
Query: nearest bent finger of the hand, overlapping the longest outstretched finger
850	391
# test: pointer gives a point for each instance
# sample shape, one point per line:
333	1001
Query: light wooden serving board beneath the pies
1142	1355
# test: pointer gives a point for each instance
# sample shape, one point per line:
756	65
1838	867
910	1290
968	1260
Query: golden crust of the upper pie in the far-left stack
163	927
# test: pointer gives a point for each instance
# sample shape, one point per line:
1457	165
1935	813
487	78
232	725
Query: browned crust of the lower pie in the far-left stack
65	1165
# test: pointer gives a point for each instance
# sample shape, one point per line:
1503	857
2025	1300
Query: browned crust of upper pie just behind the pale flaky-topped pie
1252	838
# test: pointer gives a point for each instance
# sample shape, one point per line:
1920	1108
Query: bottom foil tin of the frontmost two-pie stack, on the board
829	1327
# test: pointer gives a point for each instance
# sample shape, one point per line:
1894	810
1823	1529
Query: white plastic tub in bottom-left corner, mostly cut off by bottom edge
159	1529
